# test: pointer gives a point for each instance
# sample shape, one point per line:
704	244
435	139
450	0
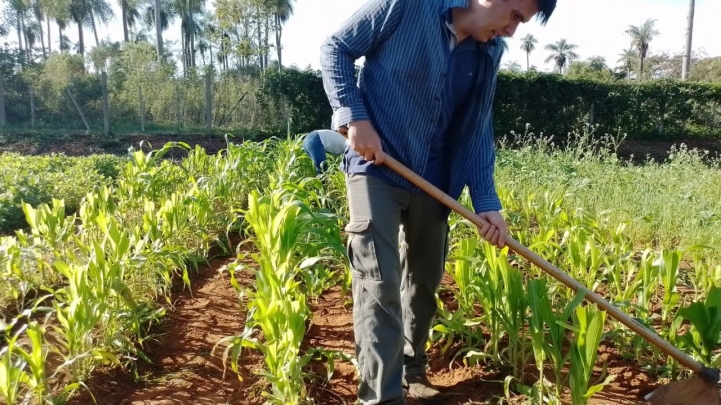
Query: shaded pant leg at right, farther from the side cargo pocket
424	246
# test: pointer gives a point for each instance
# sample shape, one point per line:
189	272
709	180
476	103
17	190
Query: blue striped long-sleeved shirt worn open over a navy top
400	91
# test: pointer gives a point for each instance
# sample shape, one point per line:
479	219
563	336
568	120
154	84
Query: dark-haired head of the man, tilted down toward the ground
486	19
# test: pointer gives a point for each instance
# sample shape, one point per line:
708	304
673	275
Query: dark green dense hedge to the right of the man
557	105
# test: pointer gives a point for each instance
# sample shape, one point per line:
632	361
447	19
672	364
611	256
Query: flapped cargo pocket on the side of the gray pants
361	250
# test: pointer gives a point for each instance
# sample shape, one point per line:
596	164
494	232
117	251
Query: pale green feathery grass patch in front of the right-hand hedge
669	204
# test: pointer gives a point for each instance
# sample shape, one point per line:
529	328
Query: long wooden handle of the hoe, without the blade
710	375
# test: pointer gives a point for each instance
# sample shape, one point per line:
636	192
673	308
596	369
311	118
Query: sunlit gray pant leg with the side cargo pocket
375	215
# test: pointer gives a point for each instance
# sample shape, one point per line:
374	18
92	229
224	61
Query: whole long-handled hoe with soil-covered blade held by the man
694	391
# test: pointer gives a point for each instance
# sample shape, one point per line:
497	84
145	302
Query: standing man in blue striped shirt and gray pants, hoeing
424	96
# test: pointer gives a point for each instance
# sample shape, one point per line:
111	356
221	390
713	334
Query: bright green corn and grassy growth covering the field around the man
83	290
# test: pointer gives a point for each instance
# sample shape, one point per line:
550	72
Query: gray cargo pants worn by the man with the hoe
397	244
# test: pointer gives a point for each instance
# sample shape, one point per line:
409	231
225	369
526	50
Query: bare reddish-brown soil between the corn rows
185	372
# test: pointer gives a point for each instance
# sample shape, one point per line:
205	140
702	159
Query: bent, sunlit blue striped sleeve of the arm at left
366	29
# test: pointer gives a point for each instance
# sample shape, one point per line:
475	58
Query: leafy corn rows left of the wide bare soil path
88	287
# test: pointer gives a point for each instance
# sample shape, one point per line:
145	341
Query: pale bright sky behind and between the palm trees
596	26
